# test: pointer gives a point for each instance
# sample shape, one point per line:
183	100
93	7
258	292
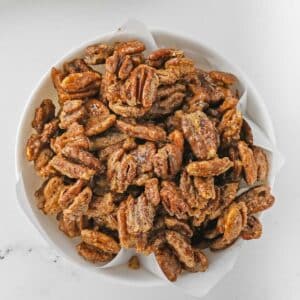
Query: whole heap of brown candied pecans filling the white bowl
149	155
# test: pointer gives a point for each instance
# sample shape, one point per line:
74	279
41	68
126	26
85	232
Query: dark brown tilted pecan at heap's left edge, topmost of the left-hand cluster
43	114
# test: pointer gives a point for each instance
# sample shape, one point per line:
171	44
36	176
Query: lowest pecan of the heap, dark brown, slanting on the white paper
168	263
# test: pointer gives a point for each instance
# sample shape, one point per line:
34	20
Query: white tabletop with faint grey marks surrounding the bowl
262	37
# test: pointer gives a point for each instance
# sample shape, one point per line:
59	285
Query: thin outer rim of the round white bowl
19	144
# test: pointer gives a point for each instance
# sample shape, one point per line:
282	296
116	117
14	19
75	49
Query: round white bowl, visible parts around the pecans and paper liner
28	181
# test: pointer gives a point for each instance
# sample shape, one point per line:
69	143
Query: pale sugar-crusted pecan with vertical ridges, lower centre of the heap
140	214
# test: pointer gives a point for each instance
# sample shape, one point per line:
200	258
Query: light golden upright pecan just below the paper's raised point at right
230	126
